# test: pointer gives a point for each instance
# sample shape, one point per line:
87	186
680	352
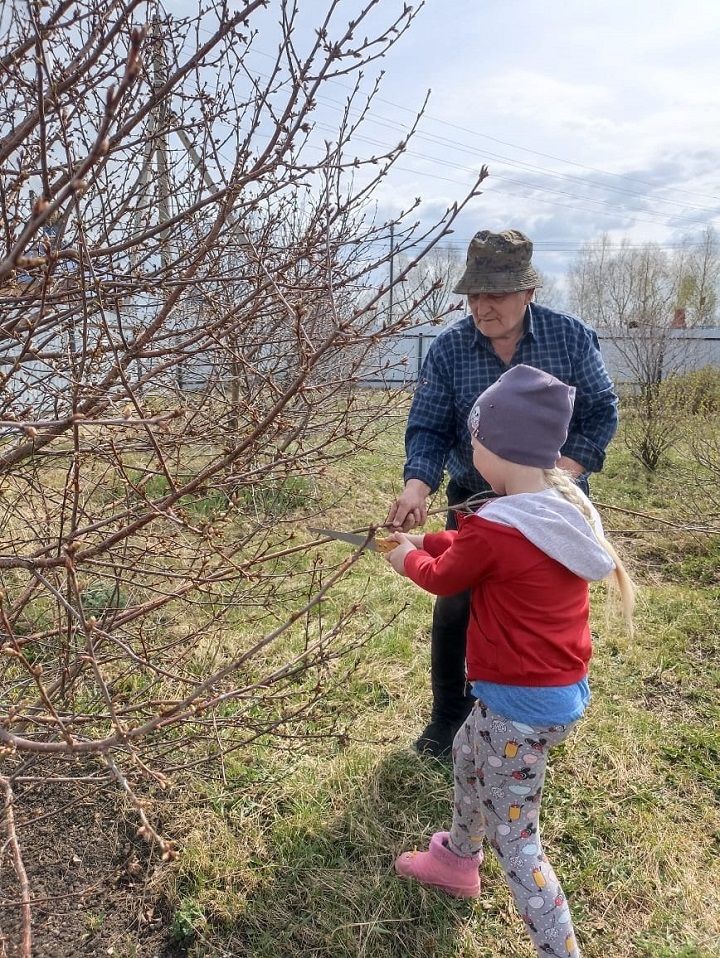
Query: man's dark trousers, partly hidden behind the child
452	700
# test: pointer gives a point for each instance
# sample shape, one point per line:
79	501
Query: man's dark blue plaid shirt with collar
461	363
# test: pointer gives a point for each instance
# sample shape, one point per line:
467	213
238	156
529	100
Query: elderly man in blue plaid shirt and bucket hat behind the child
502	330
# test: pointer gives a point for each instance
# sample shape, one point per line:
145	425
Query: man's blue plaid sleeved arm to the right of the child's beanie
595	416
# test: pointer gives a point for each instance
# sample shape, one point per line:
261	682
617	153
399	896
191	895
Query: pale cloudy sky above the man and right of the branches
592	116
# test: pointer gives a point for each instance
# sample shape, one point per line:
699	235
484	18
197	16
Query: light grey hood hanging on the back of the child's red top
555	526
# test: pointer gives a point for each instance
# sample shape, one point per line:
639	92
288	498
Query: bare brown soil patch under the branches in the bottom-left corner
89	877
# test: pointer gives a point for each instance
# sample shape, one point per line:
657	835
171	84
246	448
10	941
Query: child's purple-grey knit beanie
524	417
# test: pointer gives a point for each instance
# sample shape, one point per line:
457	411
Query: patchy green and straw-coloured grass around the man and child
290	854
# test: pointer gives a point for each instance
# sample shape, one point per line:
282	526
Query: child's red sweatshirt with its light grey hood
529	599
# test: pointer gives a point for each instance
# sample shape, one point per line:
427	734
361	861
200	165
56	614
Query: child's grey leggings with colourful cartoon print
499	768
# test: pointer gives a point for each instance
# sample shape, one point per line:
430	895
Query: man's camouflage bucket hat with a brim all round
498	263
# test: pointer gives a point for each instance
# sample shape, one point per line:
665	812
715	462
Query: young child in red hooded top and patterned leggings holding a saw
527	557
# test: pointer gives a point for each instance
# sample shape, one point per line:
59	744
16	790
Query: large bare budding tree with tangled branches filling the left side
189	288
